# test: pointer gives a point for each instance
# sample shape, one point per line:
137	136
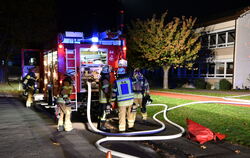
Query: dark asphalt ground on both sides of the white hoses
27	132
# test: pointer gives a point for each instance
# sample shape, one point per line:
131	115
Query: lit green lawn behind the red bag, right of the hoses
234	121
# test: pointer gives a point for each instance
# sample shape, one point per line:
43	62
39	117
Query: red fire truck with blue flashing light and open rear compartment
82	57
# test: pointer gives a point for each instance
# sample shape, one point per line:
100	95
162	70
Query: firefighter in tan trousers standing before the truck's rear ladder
64	105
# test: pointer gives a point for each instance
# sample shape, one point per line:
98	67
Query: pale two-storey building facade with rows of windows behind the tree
228	42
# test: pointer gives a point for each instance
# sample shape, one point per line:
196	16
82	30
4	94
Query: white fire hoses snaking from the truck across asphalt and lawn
111	137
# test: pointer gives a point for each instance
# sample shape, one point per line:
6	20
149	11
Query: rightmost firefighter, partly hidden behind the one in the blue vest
141	91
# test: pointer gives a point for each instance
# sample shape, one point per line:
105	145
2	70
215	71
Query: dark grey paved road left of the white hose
25	133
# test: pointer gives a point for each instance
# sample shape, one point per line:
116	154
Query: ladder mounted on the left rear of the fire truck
71	65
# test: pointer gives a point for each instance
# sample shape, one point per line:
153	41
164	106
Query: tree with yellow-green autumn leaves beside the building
164	44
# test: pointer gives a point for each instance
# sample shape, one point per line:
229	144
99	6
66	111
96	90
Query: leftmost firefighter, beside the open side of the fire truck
29	86
